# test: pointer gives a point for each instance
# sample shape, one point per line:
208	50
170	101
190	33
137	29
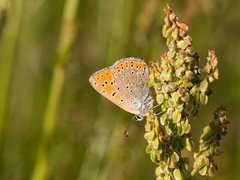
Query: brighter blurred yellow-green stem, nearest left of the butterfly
65	42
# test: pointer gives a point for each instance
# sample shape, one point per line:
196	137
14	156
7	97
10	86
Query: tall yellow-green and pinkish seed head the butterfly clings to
181	86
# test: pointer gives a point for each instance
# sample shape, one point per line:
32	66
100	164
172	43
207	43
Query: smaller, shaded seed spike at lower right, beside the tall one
210	144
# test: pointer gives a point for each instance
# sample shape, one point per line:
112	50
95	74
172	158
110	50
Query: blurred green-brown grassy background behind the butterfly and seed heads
86	139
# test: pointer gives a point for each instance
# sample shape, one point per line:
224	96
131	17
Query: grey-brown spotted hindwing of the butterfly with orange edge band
132	76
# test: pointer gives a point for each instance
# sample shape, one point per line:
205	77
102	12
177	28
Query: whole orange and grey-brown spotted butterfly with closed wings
125	83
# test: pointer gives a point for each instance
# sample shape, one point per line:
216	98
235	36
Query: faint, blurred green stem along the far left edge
8	50
